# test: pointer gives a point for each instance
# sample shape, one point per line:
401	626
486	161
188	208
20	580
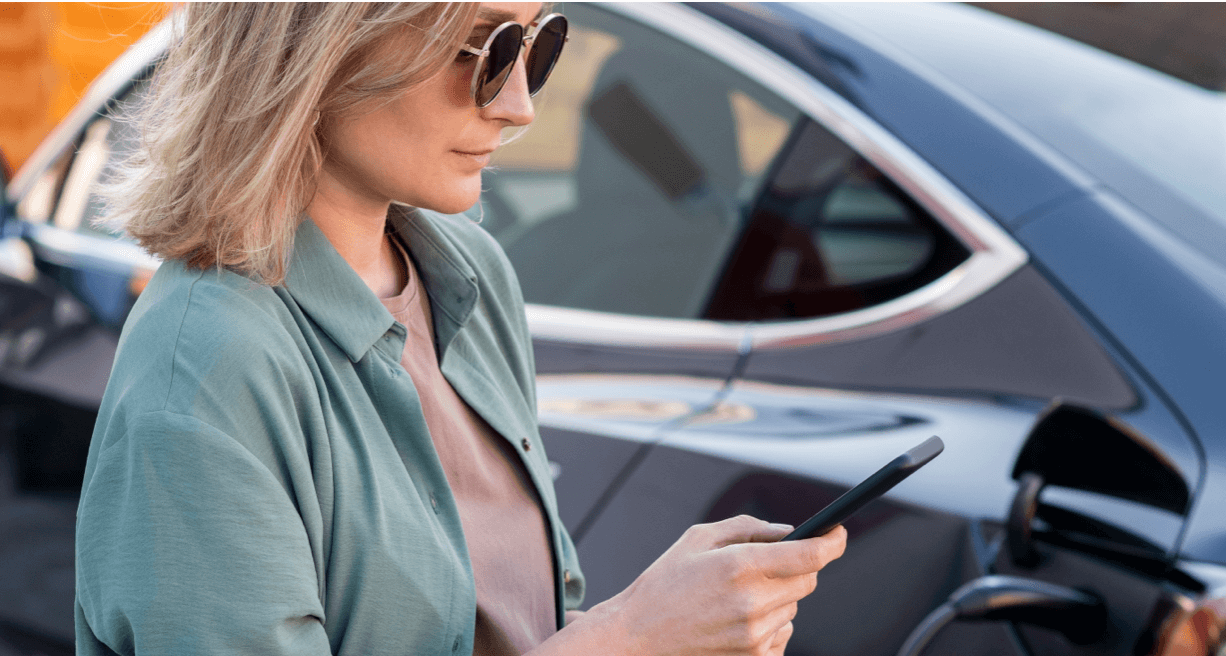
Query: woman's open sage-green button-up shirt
262	480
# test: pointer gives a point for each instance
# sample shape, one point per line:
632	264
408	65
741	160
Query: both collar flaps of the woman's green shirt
337	299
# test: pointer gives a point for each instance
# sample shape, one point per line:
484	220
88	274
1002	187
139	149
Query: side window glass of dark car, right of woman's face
659	182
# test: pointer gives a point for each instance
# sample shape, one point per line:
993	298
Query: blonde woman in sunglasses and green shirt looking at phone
319	436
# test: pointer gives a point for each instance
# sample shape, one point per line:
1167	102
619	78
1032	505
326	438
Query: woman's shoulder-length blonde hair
231	127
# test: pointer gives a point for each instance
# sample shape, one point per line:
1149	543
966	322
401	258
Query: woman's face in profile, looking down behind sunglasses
427	148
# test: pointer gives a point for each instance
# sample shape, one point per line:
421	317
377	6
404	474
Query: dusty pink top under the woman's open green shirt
502	518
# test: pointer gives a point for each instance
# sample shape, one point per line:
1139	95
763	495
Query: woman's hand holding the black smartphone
725	588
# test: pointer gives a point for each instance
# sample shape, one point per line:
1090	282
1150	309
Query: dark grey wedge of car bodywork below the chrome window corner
1018	339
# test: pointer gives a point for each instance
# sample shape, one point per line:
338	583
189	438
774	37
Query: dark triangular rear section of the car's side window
831	234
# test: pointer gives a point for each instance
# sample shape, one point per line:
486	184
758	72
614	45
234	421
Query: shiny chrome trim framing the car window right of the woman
995	256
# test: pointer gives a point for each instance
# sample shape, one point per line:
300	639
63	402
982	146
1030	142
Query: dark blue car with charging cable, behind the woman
766	250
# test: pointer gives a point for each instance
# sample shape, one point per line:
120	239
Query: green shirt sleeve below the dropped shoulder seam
189	545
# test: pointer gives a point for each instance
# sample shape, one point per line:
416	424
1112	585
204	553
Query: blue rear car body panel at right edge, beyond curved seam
1152	283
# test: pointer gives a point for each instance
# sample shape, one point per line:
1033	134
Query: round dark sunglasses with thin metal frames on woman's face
503	48
